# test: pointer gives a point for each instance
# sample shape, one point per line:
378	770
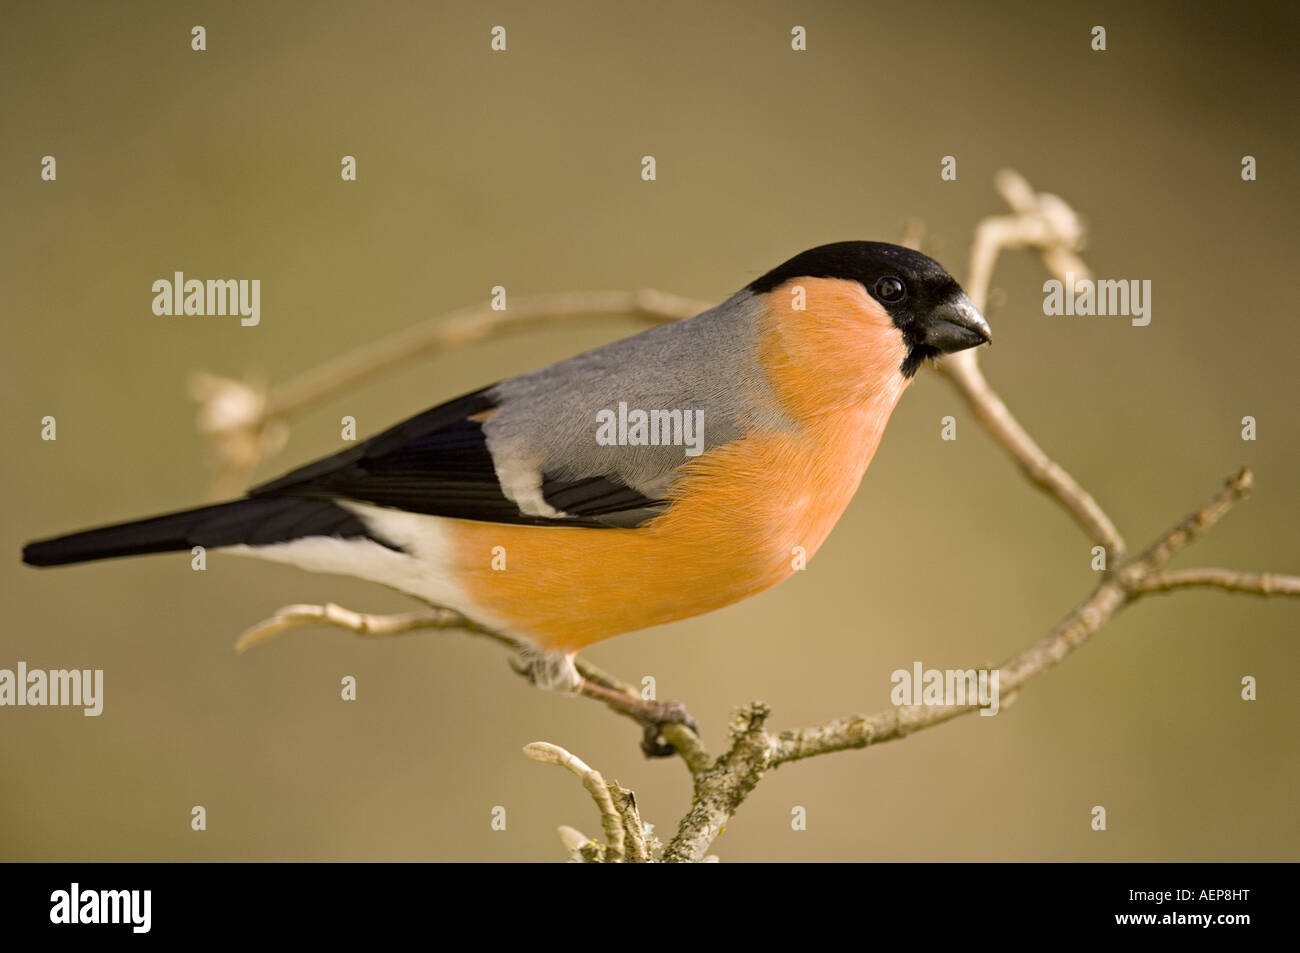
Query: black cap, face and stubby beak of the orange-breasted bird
925	301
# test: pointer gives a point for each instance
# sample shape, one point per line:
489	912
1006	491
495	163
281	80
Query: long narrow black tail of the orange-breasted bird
255	522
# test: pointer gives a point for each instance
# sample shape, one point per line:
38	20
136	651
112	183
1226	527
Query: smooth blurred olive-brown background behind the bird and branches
523	170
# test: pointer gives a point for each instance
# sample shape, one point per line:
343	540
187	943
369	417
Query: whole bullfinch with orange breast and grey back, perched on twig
649	480
